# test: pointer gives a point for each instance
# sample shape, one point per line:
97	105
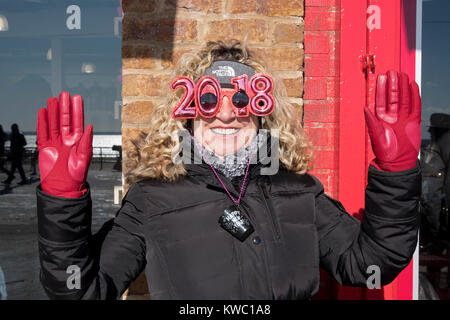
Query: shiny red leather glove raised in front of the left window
65	152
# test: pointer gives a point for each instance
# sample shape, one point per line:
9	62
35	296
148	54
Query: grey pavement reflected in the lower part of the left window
19	256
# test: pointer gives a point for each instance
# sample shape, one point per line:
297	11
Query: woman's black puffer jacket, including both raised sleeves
171	230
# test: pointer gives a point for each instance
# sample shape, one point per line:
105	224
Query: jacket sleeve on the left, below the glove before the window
107	261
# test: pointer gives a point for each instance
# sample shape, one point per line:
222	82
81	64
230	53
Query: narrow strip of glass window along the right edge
434	236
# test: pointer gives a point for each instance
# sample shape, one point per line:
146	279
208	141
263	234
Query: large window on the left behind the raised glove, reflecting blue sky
49	46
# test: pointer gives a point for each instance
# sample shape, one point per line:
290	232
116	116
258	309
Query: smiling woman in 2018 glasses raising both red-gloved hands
174	221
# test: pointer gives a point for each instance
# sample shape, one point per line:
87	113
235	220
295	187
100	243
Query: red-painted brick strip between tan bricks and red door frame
321	99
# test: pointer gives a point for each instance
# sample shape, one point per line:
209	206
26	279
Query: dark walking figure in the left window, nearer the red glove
18	143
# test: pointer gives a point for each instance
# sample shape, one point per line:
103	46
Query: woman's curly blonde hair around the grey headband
151	156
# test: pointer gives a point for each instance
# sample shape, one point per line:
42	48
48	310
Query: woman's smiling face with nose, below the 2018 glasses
225	133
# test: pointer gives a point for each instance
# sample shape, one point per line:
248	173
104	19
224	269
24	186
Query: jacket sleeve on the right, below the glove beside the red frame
387	236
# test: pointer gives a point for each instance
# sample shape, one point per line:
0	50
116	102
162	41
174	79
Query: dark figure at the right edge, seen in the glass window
436	187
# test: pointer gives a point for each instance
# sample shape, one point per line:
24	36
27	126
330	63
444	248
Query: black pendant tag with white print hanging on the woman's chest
235	222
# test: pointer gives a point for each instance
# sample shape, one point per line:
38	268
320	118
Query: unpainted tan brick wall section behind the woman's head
157	33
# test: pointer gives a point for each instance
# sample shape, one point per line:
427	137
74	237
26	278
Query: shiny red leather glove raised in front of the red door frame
395	130
